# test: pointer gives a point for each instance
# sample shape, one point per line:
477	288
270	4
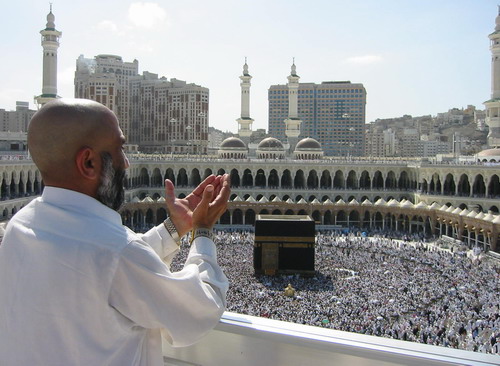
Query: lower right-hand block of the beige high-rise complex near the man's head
168	115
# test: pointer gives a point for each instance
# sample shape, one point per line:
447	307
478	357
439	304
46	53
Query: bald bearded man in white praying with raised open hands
78	287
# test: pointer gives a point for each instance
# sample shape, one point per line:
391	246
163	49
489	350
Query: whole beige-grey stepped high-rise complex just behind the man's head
156	114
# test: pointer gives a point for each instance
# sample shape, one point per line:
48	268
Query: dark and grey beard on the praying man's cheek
111	192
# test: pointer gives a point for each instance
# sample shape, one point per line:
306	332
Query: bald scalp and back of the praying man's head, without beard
60	129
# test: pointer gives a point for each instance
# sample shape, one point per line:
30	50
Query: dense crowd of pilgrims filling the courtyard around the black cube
375	285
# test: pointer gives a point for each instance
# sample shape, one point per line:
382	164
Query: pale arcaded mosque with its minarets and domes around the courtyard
458	199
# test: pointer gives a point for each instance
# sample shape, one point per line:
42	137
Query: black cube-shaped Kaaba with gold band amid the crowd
284	244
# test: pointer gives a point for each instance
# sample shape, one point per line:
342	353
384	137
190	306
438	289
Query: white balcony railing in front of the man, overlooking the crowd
251	341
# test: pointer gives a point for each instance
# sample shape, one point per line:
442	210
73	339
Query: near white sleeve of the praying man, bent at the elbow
185	305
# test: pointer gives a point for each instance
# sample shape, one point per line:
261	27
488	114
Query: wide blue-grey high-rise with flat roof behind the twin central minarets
332	112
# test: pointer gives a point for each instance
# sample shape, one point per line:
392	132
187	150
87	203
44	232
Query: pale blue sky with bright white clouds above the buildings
414	57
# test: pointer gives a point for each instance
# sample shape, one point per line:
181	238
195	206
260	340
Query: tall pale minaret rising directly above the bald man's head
50	44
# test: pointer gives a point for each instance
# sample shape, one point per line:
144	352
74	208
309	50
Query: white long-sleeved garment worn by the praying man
79	288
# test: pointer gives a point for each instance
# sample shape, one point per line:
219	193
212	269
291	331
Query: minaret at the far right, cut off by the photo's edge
493	105
